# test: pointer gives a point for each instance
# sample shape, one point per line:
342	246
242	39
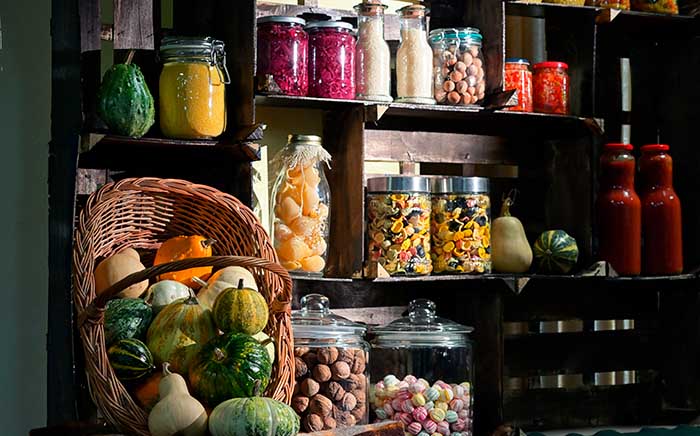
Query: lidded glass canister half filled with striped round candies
423	367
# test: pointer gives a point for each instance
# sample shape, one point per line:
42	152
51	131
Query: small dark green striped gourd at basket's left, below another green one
130	359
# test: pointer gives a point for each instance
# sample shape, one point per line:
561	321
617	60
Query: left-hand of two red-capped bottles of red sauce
619	211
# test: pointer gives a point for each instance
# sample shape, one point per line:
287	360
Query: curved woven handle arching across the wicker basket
94	311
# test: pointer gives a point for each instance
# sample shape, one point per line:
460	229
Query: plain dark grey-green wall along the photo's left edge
25	101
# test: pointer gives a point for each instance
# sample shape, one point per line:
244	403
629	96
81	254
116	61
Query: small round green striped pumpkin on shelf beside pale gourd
555	252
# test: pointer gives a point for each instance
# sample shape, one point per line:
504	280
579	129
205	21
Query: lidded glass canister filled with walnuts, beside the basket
330	364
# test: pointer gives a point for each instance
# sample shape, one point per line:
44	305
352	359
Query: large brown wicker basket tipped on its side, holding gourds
142	213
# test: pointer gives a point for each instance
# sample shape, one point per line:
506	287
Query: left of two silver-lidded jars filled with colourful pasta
398	224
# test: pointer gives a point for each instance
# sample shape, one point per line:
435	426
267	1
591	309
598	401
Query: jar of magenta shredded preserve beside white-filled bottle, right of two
331	60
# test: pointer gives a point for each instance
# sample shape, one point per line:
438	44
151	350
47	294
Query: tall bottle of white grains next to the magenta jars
373	57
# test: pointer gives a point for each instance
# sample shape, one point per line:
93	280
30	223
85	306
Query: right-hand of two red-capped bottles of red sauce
661	212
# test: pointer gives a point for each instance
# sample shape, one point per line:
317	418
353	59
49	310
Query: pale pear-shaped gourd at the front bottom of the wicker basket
177	412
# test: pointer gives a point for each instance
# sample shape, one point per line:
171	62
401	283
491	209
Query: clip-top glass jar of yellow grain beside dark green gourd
192	102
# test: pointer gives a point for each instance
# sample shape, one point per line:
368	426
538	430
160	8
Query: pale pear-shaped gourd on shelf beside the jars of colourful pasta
510	251
